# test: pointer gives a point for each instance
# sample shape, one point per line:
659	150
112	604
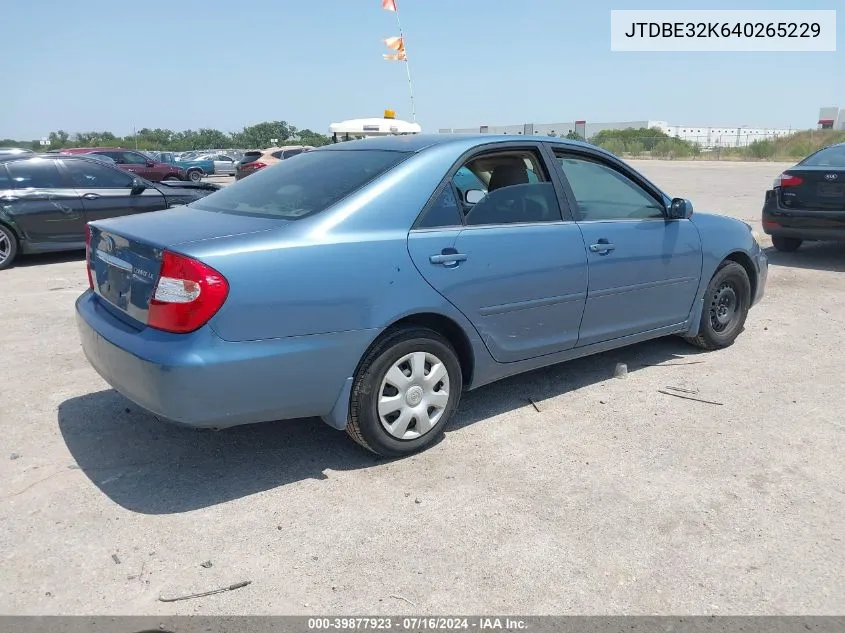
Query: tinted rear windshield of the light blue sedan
302	185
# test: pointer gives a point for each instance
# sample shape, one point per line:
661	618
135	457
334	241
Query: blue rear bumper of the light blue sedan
200	380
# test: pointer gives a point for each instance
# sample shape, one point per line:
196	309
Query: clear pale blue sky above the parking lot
88	65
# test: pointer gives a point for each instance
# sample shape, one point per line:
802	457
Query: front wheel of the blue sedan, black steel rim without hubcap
726	304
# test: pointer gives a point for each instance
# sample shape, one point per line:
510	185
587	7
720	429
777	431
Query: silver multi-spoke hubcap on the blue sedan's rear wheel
413	395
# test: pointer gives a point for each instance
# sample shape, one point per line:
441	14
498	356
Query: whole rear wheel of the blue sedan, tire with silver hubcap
406	349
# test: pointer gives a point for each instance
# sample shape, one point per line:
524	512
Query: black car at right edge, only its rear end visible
807	202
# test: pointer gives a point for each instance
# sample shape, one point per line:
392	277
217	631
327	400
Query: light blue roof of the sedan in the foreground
419	142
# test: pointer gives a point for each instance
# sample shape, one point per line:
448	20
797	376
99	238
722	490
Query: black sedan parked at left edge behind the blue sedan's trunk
46	200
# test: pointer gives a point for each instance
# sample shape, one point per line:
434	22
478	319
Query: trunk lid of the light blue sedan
126	253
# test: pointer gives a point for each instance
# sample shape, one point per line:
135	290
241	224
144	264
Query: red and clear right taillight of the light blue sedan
187	295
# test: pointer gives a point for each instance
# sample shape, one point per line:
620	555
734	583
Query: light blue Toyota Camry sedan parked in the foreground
369	283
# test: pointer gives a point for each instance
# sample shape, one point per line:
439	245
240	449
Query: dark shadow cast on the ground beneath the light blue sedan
152	467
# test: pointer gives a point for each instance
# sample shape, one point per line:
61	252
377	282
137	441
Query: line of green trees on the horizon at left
256	136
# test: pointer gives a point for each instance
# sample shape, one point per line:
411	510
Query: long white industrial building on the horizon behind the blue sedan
706	136
